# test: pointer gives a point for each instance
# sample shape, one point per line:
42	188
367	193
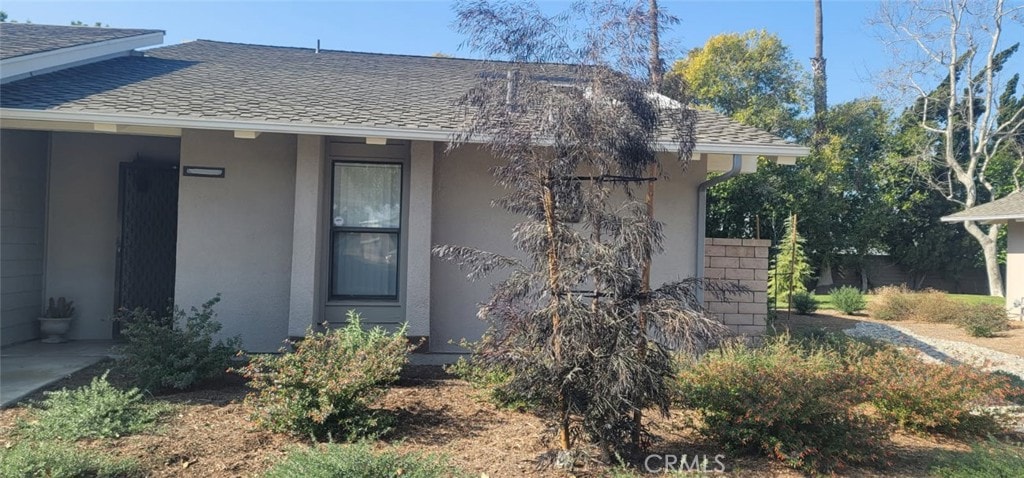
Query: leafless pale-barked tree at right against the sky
958	46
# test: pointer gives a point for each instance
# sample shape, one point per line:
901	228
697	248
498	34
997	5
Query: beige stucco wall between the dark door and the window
235	234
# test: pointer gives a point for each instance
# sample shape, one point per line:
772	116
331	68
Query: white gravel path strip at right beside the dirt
950	352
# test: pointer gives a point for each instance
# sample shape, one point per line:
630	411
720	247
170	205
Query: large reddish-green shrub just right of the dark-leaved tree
795	406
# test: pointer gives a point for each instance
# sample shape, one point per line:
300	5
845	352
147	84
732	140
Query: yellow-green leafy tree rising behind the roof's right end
752	78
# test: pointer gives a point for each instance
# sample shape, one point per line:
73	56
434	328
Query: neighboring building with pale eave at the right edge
1009	211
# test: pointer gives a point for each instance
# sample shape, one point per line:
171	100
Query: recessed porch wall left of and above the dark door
82	221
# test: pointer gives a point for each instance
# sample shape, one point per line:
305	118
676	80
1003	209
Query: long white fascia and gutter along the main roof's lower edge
783	151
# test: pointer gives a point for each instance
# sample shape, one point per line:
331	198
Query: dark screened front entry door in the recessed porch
147	248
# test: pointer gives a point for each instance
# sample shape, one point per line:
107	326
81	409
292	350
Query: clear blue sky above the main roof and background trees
424	27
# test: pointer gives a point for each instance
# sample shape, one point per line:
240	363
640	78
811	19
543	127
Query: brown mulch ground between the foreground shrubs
209	434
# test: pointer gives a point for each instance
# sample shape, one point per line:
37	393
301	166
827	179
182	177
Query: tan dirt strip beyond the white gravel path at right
1011	341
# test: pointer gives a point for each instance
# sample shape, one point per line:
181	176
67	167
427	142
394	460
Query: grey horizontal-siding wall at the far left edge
24	159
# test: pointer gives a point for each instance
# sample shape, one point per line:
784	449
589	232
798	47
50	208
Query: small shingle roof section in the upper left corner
26	39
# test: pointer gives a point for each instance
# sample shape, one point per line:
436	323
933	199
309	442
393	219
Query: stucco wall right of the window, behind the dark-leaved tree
464	189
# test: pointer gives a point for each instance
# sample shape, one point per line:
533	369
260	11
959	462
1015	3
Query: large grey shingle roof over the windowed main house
216	80
